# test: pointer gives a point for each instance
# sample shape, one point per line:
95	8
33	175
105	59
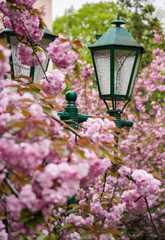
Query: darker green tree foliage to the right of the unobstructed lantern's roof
141	18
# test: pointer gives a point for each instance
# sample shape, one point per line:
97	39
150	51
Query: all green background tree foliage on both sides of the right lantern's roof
140	17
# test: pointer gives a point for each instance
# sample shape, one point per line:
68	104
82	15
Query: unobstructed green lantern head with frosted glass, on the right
116	57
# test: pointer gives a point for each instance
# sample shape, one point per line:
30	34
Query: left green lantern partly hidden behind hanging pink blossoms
16	67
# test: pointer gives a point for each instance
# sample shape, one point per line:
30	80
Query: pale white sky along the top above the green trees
59	6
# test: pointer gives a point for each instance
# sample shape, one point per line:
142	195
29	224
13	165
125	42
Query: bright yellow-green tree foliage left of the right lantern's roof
85	23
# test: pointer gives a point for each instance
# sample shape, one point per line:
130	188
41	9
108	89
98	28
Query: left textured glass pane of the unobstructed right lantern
102	63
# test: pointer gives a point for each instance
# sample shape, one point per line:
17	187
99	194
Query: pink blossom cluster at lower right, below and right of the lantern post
143	185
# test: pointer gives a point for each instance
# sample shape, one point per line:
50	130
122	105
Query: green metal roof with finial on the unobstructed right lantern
116	36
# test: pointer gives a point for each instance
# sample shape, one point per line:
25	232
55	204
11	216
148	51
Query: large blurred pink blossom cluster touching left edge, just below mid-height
22	157
